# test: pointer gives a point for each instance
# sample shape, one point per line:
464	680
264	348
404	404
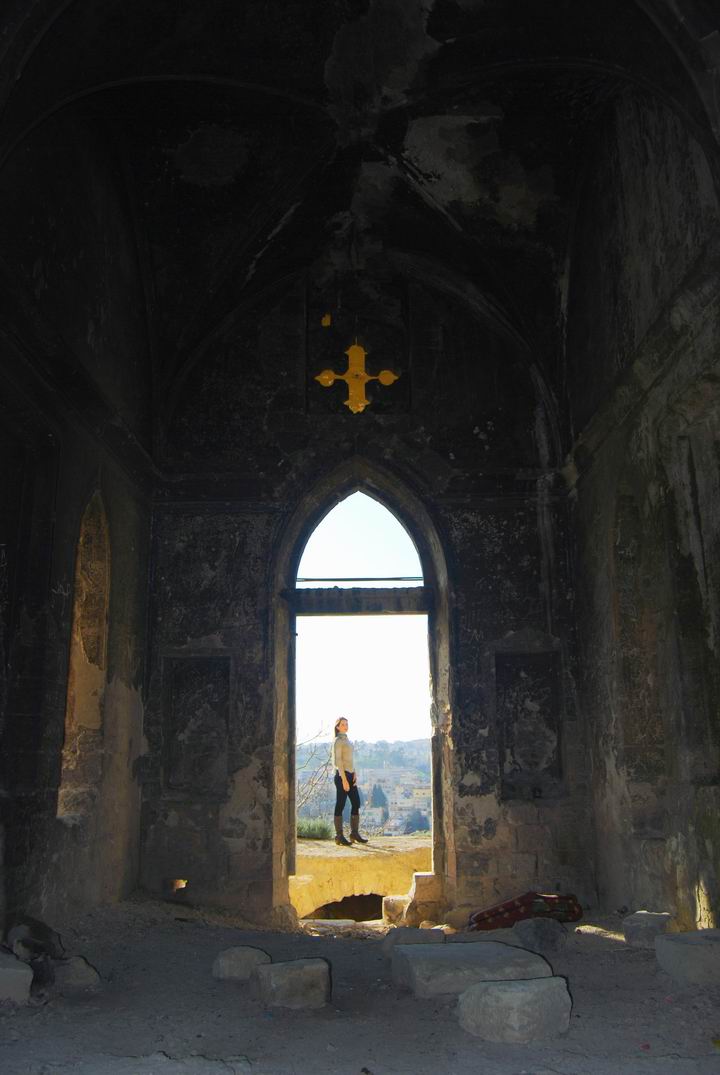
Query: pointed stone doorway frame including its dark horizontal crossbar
426	595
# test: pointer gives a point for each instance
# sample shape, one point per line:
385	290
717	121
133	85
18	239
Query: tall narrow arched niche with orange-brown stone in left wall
83	747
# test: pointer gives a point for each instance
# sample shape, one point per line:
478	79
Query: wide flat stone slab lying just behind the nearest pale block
449	969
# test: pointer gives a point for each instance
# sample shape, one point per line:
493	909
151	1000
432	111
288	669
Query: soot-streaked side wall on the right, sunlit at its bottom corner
643	343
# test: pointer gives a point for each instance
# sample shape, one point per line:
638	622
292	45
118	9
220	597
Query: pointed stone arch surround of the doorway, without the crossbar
359	476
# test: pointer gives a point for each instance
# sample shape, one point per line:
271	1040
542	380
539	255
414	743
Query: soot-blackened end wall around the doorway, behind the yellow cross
249	439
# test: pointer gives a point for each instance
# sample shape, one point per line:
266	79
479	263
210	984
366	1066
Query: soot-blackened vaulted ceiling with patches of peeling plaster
261	140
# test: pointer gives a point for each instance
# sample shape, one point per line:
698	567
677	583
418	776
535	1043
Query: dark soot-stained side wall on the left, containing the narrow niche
75	420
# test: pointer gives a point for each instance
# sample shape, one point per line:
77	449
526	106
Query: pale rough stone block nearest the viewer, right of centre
516	1012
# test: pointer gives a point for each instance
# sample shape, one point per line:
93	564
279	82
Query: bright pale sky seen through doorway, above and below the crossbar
373	670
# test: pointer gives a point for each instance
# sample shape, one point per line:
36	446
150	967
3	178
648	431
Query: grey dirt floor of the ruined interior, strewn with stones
161	1012
